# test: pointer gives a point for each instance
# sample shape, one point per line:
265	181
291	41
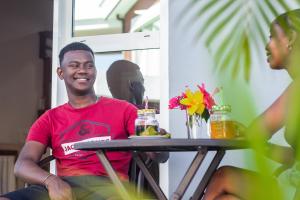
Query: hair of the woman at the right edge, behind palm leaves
289	21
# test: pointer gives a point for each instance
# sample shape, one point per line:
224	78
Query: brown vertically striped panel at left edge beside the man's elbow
7	178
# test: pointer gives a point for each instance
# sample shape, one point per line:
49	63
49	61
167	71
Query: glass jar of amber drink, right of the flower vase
221	124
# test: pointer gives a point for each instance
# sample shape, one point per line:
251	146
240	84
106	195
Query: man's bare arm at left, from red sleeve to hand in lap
27	169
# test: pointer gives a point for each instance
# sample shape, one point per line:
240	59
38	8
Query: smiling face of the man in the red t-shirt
78	71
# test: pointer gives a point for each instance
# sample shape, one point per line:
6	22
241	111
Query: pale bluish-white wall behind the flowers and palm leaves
190	63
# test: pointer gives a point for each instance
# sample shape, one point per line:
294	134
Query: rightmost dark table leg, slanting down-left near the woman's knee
207	175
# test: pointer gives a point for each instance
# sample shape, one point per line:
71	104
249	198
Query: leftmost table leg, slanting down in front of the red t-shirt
113	176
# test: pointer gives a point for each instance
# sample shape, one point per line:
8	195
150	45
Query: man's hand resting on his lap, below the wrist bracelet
58	189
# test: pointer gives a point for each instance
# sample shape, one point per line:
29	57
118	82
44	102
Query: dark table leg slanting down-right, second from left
156	189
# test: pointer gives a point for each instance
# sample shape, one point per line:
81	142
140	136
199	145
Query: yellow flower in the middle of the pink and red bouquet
194	102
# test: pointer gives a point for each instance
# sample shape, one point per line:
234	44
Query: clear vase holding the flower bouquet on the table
195	127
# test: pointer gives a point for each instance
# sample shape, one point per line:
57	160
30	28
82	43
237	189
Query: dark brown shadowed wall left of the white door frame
20	67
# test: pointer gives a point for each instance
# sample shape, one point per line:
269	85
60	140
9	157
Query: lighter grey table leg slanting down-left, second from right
189	175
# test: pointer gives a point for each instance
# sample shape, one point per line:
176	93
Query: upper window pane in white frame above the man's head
101	17
